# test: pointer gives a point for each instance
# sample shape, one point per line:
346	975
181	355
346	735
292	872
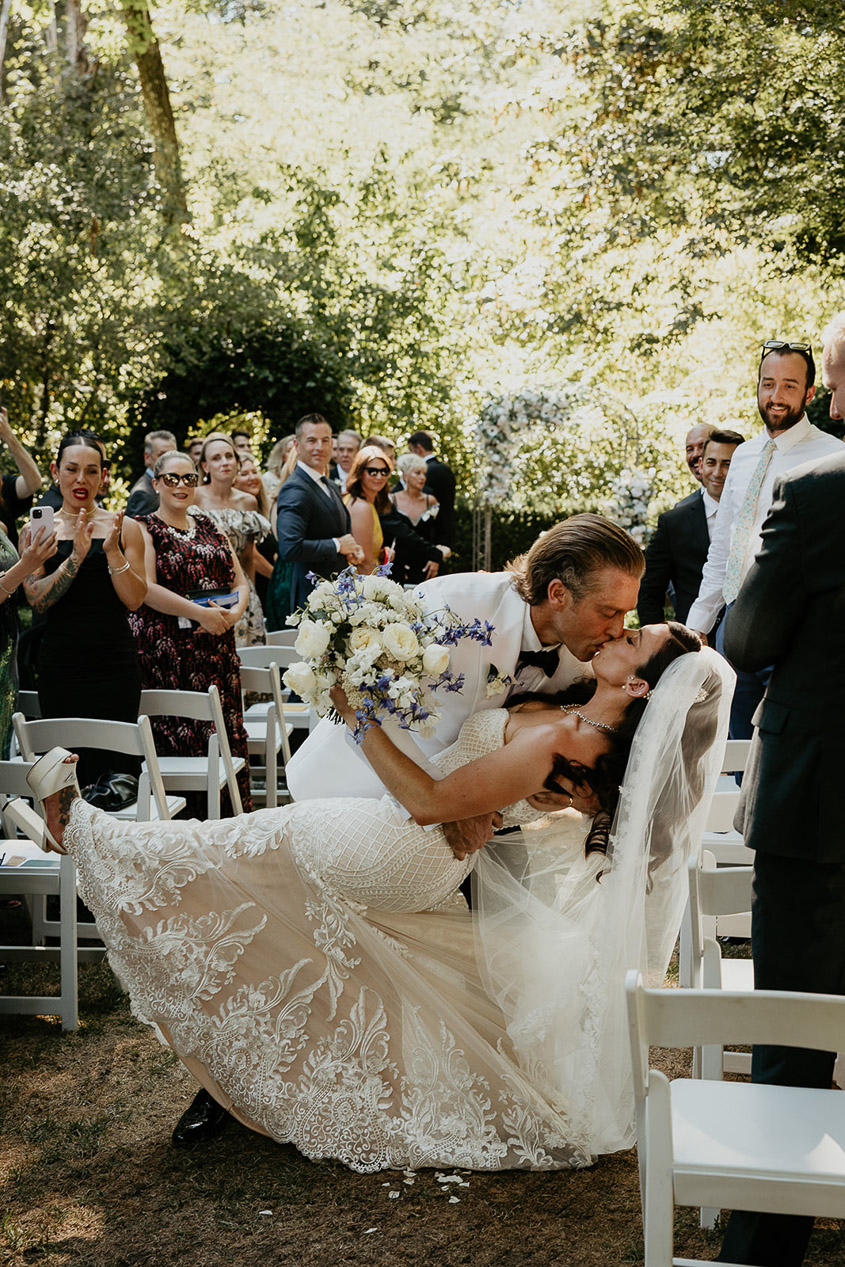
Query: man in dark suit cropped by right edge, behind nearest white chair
791	614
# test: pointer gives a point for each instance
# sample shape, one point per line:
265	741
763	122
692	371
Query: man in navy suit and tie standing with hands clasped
314	525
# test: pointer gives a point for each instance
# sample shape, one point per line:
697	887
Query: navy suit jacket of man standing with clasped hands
308	521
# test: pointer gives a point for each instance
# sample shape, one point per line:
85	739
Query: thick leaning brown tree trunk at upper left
146	53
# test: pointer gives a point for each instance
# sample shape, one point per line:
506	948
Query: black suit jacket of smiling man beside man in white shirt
677	554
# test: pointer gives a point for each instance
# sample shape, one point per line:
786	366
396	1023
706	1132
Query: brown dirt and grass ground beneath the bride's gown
89	1175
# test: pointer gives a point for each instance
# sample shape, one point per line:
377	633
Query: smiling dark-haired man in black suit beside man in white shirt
678	551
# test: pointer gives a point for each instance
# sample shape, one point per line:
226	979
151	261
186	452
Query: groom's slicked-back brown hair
575	552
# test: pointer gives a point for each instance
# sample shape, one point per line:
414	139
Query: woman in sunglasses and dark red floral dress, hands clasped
183	644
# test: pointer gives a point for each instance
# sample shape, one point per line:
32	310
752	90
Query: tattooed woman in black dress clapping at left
88	665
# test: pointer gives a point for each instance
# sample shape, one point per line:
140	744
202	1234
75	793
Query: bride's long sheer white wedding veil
558	931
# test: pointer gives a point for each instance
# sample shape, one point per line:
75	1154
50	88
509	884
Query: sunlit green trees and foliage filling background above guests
400	212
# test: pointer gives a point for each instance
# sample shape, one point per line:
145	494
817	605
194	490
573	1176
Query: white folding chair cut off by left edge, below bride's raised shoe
27	872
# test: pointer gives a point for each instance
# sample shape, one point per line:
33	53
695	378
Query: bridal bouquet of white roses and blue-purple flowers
376	640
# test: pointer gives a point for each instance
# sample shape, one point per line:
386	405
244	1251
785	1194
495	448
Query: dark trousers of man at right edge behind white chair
799	943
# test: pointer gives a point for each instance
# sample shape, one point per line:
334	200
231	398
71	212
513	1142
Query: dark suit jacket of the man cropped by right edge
791	613
